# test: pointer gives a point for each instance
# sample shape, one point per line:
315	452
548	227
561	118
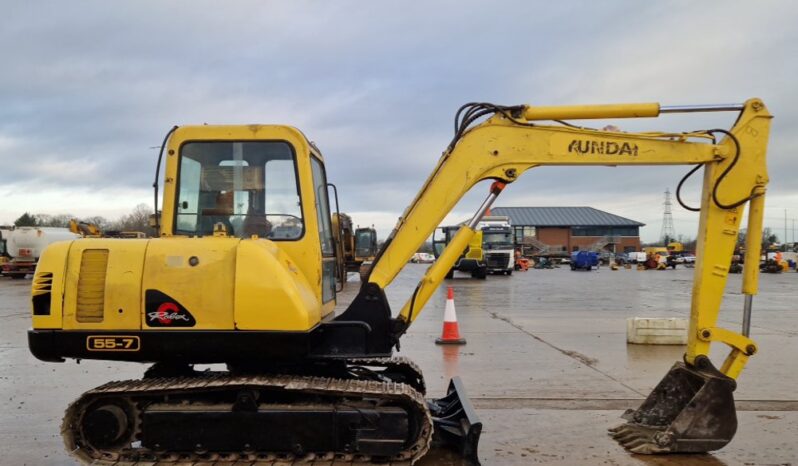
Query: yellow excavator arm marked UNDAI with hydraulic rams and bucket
510	142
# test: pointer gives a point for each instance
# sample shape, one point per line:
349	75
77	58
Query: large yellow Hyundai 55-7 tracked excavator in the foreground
243	273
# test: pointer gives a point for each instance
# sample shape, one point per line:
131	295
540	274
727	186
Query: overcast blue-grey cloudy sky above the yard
88	88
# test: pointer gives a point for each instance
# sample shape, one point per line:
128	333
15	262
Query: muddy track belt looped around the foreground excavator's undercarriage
311	385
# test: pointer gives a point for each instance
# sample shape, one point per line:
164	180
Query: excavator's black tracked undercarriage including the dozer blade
366	411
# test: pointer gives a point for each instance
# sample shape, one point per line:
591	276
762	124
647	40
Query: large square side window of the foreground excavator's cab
250	188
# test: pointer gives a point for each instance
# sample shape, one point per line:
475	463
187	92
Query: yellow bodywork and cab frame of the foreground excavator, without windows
245	284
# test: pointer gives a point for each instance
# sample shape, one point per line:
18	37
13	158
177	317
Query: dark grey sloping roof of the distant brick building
563	217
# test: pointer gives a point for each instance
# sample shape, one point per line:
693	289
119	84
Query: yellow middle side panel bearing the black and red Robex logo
197	276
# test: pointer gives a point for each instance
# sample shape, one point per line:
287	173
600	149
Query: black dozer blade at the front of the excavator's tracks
456	424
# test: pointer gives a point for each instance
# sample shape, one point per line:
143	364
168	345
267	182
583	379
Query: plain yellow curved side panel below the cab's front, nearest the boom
271	292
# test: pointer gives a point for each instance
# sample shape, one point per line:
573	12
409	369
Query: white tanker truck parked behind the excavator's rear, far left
24	245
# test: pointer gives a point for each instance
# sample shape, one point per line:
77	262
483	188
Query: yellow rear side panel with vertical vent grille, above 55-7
114	286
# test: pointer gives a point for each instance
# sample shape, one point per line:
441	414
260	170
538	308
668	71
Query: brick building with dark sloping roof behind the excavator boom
558	230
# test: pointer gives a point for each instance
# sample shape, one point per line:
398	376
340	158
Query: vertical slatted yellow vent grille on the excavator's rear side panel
91	285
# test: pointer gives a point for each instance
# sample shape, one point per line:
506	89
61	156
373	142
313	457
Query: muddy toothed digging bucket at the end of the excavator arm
691	410
